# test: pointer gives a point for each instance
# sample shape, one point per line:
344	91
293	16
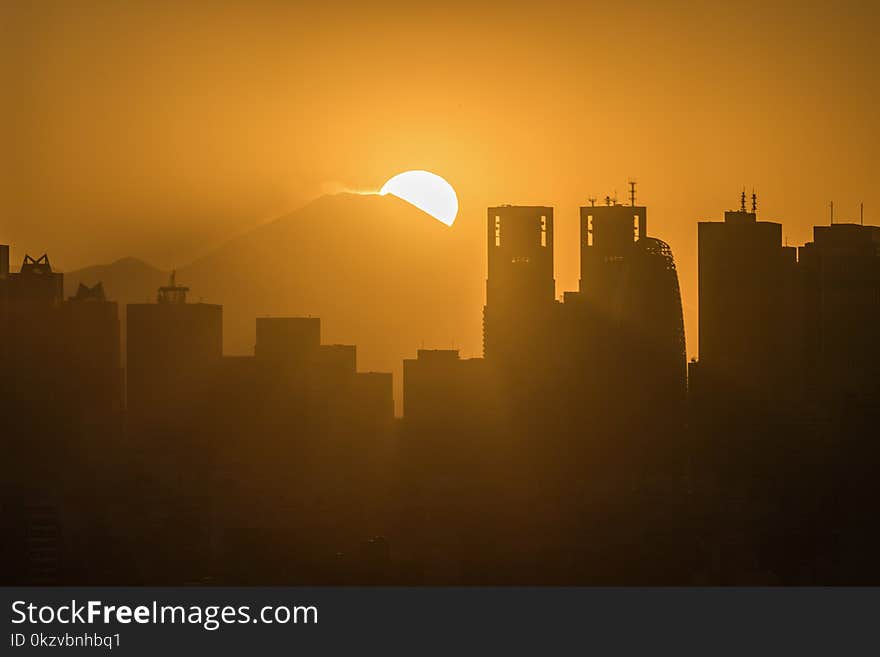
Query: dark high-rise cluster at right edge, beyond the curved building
784	402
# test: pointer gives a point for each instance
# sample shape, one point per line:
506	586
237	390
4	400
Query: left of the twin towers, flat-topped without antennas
520	286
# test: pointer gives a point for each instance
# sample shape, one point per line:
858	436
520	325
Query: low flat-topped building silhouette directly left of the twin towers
452	436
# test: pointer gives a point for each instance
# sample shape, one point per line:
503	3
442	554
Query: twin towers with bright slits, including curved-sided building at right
611	353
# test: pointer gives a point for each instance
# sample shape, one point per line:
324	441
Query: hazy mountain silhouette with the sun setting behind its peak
379	273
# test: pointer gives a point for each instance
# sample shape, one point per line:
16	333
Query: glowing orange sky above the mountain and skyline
160	129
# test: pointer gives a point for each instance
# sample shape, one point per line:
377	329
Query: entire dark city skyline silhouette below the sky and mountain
576	450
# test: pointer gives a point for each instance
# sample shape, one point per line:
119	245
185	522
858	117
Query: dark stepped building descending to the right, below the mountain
299	425
